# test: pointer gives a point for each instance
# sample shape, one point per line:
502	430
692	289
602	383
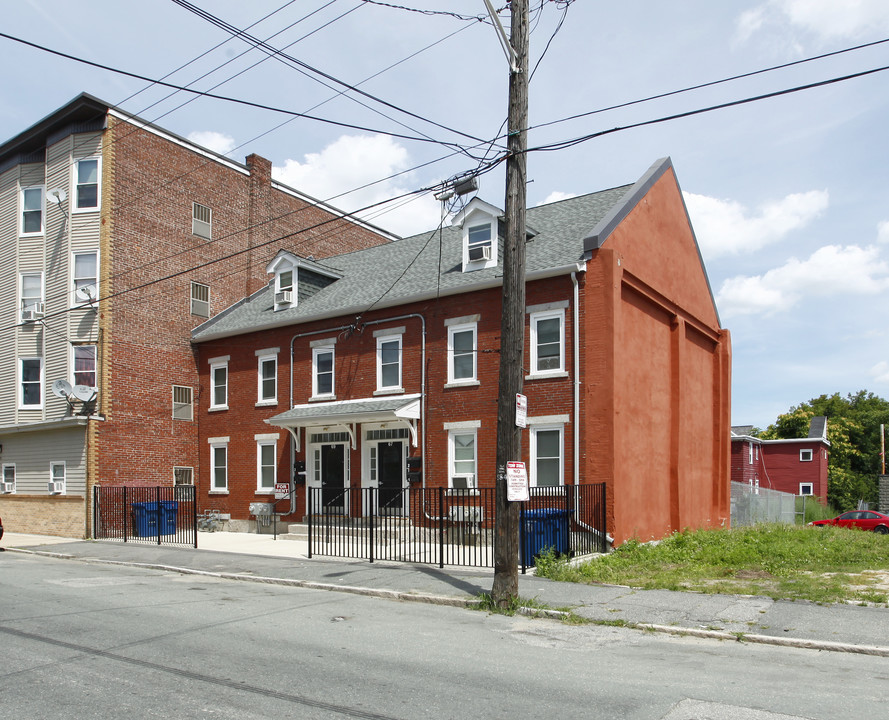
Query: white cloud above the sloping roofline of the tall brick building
340	171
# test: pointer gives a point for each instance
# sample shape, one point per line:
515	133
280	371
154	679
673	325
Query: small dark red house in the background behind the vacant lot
796	466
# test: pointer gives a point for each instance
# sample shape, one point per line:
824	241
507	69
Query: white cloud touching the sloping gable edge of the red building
726	227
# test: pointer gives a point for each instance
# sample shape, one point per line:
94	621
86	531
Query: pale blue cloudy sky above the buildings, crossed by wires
788	195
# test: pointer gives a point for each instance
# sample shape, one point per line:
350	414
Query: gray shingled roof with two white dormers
420	267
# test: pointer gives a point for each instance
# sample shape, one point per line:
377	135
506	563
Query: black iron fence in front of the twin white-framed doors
451	527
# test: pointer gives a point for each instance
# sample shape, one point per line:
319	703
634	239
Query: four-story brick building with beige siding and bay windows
117	239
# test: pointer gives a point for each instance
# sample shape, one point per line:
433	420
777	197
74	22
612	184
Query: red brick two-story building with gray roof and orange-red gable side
347	367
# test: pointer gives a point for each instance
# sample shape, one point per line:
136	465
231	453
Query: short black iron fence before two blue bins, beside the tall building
159	515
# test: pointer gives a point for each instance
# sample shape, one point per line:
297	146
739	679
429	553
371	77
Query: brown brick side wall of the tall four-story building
151	184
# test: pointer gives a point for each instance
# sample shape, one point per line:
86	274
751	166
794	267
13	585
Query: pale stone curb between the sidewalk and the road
447	600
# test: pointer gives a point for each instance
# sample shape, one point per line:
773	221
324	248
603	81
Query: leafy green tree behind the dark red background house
853	429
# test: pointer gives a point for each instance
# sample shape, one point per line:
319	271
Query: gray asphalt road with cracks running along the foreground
100	641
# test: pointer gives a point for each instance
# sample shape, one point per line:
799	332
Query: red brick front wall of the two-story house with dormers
355	376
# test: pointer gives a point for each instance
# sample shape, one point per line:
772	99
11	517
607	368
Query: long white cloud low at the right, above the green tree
831	270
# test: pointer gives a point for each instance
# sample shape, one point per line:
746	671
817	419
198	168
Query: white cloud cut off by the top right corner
827	19
